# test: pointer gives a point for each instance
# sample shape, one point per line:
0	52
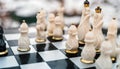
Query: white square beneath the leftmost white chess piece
15	51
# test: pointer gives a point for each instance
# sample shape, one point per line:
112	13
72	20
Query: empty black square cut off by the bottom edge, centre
62	64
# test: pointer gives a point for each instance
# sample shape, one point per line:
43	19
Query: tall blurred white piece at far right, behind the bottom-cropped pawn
112	35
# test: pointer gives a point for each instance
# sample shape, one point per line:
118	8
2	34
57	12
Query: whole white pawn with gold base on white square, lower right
88	52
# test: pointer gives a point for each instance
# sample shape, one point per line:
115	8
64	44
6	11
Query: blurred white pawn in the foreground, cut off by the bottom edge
104	61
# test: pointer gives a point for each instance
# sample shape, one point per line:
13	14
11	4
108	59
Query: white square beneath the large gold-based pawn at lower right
76	61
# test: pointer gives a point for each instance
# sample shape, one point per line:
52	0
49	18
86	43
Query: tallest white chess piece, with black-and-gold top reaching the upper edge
84	25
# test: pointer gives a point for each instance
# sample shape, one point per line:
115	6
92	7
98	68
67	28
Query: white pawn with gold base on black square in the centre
72	42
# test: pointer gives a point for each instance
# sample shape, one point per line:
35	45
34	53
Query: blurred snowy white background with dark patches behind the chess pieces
12	12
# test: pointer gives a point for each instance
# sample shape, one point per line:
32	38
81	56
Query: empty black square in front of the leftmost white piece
28	58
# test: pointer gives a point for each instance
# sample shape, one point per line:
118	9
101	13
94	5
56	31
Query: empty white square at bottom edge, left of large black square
42	65
